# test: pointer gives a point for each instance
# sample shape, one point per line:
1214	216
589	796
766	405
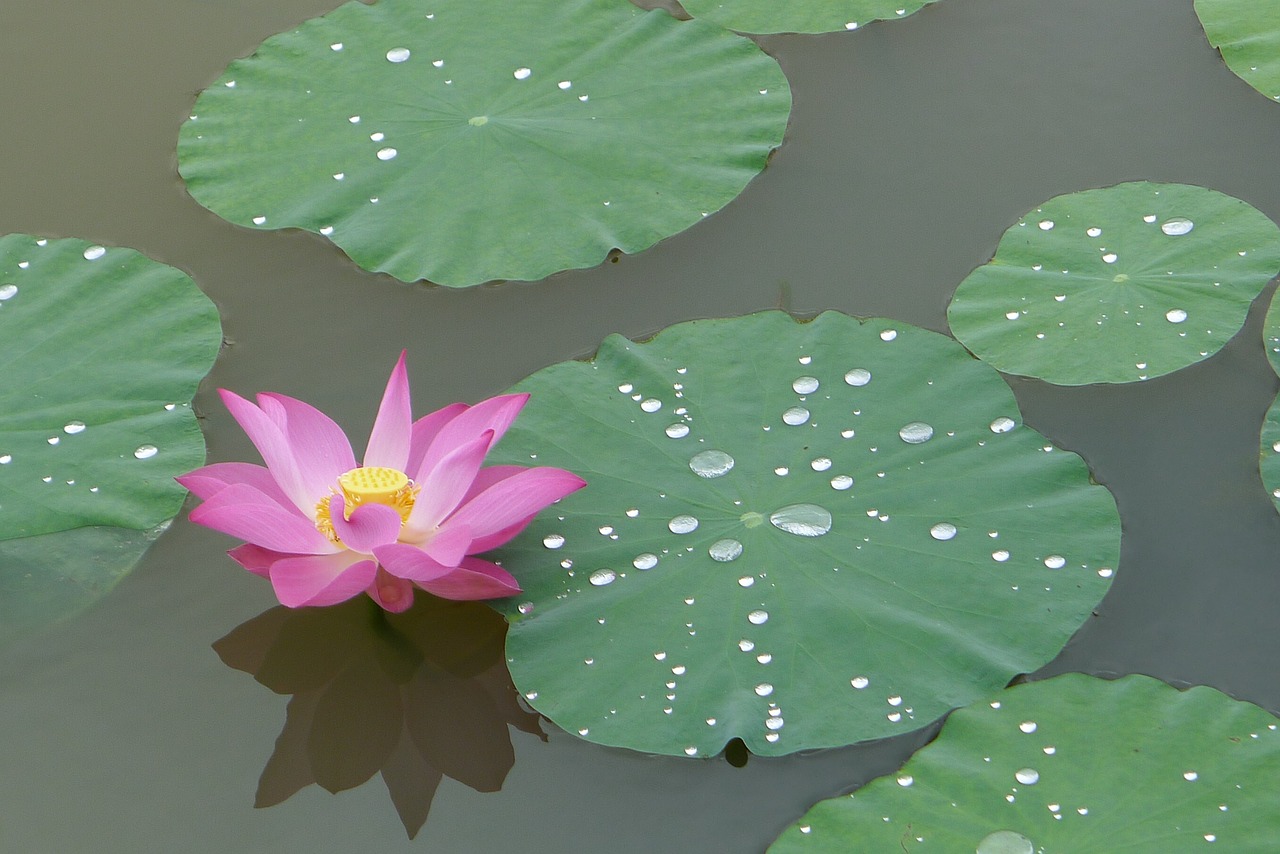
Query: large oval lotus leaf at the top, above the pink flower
470	141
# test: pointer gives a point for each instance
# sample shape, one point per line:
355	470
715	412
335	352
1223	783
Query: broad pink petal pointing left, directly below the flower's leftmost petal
254	517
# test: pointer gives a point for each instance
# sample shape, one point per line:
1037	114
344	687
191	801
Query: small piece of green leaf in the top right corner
1247	33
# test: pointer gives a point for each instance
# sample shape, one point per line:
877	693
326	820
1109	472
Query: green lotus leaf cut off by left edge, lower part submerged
103	351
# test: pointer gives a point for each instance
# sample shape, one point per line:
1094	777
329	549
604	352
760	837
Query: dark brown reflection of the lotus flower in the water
369	691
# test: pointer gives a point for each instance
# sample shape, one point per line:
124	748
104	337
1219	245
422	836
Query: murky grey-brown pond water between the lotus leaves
912	147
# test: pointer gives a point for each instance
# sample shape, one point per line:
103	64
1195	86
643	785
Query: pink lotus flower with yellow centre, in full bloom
324	528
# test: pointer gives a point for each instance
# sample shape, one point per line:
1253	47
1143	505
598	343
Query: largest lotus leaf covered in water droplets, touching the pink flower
799	535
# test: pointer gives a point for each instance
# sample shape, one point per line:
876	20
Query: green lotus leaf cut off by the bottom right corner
1072	765
